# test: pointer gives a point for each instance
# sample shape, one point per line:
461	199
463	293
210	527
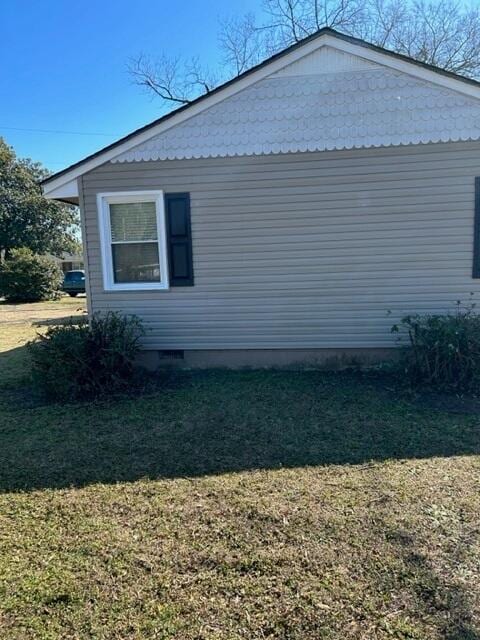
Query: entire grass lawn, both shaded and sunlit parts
228	505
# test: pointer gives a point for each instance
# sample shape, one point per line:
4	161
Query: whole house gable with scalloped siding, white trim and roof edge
329	91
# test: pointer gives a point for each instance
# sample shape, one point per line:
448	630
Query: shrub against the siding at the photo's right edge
443	350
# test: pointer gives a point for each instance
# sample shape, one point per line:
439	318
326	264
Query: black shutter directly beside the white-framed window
179	239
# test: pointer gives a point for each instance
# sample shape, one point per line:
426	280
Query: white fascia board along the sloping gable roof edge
242	83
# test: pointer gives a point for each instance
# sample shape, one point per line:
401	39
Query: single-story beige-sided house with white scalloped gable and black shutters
281	217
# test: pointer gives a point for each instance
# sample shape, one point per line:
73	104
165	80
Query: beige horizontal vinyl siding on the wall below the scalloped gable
307	250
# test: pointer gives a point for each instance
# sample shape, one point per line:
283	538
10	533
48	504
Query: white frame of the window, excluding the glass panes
104	200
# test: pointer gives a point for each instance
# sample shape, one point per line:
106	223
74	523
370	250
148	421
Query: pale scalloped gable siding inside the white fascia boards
330	99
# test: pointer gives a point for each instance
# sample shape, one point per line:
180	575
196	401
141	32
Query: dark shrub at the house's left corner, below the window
79	361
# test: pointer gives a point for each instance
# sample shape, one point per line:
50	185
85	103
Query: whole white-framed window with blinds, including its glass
133	240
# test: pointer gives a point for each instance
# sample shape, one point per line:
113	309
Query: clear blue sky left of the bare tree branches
64	67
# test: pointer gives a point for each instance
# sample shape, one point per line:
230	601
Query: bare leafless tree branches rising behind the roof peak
444	33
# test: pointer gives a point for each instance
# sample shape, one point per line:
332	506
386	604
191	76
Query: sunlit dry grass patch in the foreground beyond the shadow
380	551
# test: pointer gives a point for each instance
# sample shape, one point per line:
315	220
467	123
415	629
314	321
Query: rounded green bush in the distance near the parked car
26	277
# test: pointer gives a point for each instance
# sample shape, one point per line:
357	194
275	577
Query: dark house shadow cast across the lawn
220	421
